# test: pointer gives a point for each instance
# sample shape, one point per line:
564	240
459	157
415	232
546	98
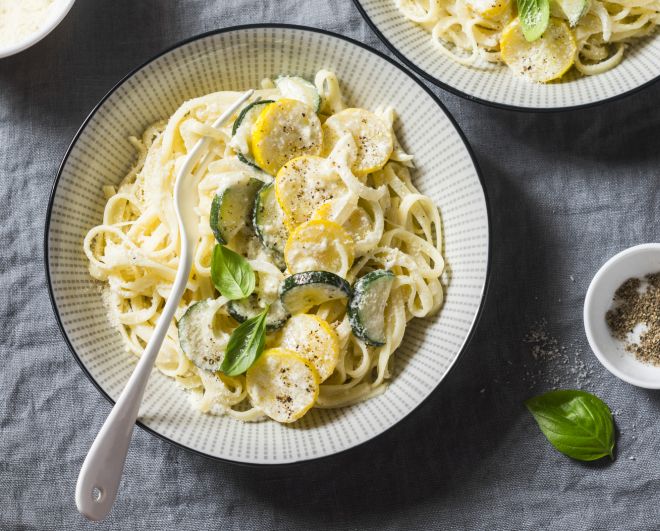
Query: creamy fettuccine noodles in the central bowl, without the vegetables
134	251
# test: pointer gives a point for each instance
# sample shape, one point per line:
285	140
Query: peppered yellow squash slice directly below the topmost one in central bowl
303	184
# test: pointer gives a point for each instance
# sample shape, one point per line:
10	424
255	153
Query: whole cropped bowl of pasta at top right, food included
545	55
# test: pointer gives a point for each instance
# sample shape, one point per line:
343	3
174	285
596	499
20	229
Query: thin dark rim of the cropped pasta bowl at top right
496	105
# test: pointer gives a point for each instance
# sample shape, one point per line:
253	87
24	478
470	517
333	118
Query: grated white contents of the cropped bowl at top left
19	19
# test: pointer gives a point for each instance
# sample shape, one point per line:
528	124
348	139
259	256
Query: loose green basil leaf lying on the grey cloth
576	423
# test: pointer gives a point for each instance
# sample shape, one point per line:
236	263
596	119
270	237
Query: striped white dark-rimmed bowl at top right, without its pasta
495	85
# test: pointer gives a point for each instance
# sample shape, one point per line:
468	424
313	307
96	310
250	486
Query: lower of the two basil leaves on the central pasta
246	344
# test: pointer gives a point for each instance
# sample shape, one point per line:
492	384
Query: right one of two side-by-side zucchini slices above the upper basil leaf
268	220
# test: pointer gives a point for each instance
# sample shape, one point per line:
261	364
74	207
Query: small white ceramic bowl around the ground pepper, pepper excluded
636	261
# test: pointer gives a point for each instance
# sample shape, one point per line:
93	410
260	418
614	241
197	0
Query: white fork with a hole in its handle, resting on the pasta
101	472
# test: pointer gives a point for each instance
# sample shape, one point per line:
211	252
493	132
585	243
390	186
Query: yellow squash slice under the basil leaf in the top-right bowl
548	57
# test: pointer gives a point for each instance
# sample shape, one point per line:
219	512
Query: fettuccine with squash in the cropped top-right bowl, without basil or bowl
590	35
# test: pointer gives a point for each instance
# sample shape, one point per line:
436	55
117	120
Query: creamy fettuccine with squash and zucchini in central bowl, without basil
345	249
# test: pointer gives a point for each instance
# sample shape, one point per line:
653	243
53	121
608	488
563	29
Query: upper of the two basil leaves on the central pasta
231	273
